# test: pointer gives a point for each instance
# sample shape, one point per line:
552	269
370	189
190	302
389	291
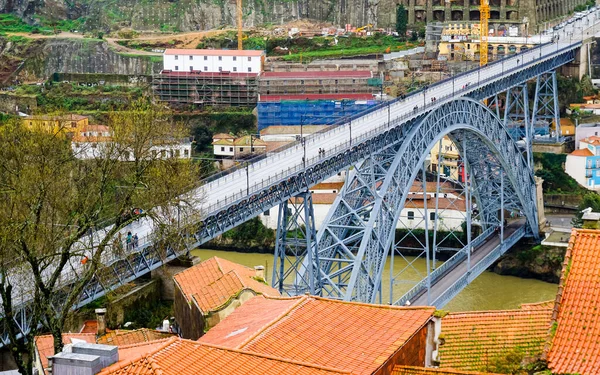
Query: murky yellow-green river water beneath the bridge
489	291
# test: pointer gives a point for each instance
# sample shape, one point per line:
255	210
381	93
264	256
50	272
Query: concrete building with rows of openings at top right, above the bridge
502	12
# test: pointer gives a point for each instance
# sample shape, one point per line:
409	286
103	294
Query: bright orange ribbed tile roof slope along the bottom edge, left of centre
184	357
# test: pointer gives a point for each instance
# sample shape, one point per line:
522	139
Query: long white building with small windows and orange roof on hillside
213	60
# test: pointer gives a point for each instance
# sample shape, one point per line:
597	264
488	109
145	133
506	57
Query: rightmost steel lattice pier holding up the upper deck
545	102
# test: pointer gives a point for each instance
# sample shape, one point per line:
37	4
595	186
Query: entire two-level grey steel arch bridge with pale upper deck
369	145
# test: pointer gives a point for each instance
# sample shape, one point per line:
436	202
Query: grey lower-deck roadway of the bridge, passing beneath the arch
446	281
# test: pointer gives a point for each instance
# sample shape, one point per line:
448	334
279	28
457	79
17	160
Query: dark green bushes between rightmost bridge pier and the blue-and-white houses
556	181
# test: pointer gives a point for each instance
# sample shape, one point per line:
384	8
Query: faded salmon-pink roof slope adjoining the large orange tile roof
244	323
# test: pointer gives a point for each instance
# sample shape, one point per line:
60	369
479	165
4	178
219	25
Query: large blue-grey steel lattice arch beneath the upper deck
358	258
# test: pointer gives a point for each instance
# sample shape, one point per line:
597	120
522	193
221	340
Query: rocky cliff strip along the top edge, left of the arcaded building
189	15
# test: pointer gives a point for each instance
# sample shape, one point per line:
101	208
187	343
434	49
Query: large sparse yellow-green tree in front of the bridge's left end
52	202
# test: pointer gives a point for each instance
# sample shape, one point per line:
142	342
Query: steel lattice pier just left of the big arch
295	242
